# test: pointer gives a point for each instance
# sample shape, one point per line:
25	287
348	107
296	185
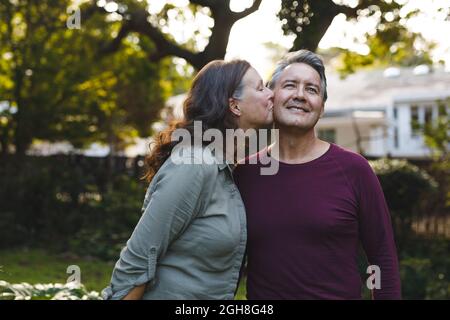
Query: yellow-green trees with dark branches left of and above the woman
66	84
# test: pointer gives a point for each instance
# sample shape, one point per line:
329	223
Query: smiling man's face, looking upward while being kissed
298	100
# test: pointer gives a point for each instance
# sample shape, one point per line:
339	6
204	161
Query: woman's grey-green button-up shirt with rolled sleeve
191	238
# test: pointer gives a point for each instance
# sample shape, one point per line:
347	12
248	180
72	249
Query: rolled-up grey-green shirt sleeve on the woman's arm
175	197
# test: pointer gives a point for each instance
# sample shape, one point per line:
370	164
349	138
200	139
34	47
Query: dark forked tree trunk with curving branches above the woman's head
137	19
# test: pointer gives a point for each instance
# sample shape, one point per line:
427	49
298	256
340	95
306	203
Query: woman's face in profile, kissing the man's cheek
254	107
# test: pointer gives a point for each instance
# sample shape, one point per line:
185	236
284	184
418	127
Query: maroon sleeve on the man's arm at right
376	234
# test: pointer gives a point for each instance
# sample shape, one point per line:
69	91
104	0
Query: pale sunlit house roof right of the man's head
376	90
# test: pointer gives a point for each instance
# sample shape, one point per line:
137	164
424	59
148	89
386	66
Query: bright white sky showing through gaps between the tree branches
248	35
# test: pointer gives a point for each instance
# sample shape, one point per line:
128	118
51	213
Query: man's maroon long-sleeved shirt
305	225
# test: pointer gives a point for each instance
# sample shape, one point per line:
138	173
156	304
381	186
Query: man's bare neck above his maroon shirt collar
297	147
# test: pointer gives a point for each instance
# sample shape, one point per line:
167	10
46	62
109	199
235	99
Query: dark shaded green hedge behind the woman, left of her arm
53	203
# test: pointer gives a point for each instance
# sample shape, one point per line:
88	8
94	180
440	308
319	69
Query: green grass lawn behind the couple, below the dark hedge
38	266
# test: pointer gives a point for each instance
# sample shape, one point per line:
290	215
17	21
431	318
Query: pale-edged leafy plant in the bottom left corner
57	291
